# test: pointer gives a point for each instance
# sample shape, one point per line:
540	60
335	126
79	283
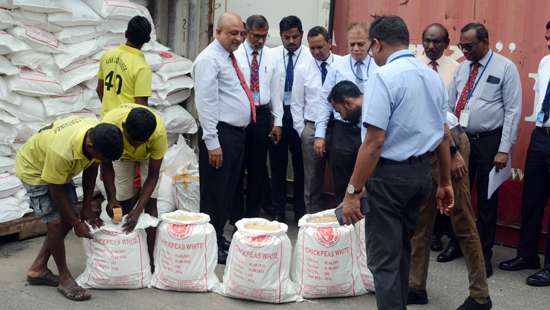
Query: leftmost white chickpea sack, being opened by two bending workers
115	259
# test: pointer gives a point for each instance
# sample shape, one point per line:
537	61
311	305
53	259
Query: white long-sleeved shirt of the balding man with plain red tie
219	96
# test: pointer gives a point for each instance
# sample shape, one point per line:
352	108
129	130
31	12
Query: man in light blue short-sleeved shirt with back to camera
403	119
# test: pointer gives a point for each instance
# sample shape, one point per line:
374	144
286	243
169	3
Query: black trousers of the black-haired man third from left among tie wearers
278	158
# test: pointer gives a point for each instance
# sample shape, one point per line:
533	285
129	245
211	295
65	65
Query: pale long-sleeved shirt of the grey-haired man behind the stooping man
342	69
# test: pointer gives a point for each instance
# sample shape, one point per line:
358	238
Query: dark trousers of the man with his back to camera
395	193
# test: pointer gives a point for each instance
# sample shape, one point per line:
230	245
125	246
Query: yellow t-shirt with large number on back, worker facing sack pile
125	75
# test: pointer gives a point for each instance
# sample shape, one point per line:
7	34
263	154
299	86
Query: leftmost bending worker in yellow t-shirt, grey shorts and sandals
46	164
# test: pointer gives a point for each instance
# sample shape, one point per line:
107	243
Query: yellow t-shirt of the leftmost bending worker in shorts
54	155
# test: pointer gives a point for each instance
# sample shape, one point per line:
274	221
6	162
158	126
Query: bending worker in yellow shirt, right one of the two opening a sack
145	142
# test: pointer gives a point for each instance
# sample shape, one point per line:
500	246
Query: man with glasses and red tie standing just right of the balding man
262	74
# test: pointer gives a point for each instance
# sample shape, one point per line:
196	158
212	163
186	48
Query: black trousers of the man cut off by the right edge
536	190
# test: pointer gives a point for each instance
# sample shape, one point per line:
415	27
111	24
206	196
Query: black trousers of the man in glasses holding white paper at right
484	147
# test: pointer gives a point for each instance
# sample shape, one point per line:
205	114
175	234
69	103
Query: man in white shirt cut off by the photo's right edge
536	184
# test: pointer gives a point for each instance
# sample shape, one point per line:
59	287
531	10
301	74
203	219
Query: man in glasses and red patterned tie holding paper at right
485	95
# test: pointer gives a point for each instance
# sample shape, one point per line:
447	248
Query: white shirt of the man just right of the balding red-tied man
270	79
